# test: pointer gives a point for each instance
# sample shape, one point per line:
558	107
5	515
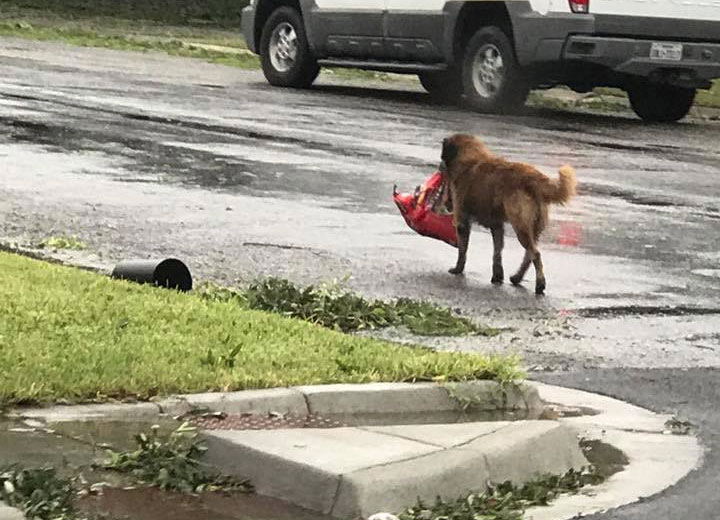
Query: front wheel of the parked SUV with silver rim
284	50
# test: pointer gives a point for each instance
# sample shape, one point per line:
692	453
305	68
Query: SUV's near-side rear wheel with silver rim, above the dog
493	81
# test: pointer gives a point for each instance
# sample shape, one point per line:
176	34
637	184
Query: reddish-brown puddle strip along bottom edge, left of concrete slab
153	504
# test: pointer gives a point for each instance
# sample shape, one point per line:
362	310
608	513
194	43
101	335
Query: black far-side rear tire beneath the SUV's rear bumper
657	103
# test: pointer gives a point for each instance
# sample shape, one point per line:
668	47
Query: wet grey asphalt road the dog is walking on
145	155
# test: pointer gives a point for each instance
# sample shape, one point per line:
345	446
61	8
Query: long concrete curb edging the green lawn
372	398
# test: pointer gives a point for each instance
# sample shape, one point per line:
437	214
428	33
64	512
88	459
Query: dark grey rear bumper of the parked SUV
700	62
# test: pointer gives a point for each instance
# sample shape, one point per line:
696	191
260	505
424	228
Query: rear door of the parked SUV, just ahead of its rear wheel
415	30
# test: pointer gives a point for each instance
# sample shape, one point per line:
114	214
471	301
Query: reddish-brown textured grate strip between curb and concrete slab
262	422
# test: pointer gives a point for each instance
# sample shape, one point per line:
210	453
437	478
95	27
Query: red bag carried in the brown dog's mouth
420	210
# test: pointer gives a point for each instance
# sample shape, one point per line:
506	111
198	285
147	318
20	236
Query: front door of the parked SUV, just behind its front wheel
348	28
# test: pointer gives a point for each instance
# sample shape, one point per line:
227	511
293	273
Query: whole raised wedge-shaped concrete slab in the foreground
354	472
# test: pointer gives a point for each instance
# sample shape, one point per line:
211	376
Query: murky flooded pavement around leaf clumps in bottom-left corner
75	447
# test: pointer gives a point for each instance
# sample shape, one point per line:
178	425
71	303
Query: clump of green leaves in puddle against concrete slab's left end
171	462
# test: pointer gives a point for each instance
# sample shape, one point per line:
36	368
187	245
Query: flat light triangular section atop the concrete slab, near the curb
441	435
